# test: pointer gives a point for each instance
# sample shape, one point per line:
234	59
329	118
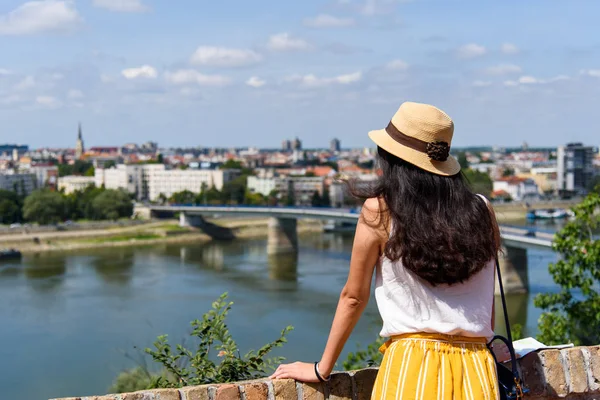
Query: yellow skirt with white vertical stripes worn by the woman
434	367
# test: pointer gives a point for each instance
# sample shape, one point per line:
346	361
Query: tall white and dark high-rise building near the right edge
575	167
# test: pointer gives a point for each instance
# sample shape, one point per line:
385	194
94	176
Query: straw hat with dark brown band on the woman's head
420	134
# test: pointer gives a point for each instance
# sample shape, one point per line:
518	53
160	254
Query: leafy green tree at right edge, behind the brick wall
573	314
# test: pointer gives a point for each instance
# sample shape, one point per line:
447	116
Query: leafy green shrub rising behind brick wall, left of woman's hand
214	342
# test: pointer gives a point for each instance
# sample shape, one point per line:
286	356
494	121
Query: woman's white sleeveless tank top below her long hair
409	304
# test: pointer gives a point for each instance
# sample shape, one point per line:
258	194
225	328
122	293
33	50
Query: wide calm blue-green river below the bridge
72	321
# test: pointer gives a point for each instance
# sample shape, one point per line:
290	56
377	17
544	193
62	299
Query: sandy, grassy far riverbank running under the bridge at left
154	232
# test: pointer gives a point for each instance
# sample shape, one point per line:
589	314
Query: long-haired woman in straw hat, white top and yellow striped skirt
432	244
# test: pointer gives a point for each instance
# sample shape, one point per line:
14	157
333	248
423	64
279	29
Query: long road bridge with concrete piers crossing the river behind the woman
283	238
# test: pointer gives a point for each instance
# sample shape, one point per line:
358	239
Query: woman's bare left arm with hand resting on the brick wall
369	240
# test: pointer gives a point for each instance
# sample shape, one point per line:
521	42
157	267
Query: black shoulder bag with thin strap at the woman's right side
509	380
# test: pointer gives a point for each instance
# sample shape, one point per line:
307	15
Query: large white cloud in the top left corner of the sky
40	16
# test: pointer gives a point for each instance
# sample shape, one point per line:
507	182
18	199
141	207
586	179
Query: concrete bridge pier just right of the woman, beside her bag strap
513	266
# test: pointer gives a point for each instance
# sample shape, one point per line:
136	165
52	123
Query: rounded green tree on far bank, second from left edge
44	207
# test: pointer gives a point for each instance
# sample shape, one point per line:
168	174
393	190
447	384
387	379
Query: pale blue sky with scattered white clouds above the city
254	72
